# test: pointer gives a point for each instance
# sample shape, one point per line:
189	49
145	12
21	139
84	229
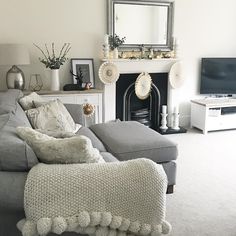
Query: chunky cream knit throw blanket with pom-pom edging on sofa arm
105	199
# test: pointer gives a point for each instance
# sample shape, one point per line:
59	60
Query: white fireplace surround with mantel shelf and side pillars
128	66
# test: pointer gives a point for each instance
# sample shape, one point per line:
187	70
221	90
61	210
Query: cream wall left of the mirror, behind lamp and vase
80	22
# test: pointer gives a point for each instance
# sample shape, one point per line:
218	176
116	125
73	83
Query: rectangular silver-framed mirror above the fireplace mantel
147	23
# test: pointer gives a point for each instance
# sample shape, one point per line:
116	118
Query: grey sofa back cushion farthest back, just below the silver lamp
8	100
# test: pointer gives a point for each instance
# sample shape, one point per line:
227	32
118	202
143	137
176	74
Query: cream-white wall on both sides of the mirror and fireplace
204	28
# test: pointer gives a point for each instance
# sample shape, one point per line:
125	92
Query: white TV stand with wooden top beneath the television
211	114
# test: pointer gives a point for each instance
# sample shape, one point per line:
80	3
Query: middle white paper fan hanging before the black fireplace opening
143	86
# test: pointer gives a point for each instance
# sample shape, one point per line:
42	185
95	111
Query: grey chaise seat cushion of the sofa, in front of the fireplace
130	140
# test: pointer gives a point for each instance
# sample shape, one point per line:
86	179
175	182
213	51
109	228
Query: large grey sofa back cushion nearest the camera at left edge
15	154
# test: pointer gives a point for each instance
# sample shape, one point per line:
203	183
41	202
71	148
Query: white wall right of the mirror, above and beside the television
205	28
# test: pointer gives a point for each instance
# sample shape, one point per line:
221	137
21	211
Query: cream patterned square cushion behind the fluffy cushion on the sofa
52	116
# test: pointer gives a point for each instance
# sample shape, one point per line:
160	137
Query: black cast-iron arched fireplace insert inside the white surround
130	107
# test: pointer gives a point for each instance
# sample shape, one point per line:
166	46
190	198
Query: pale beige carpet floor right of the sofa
204	202
